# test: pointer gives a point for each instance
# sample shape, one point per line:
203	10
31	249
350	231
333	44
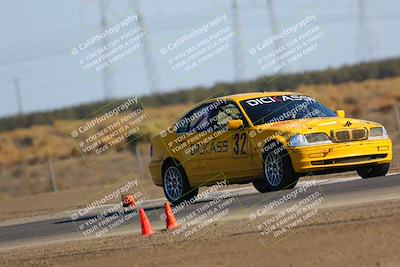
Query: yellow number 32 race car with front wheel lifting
268	138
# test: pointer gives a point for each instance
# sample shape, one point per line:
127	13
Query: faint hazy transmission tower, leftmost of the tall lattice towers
108	84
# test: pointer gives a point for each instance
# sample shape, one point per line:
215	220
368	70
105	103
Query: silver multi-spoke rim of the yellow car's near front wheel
273	168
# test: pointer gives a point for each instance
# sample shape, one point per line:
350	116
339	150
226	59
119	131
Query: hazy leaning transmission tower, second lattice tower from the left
150	67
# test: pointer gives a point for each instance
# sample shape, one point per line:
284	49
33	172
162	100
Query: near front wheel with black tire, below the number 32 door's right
283	176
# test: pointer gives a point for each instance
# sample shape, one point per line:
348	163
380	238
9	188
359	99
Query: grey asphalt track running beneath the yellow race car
240	204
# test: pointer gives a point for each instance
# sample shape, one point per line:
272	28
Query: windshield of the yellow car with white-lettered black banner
281	108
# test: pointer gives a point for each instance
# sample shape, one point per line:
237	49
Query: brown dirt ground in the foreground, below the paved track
358	235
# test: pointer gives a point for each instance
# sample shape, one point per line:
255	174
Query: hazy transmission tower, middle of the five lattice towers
239	66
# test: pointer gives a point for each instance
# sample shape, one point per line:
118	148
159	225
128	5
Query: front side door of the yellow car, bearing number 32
231	149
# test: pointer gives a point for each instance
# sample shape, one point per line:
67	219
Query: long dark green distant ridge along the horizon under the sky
359	72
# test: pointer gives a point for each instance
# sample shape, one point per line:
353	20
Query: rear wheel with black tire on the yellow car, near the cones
178	184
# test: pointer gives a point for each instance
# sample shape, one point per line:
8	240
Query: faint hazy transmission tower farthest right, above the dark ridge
366	41
